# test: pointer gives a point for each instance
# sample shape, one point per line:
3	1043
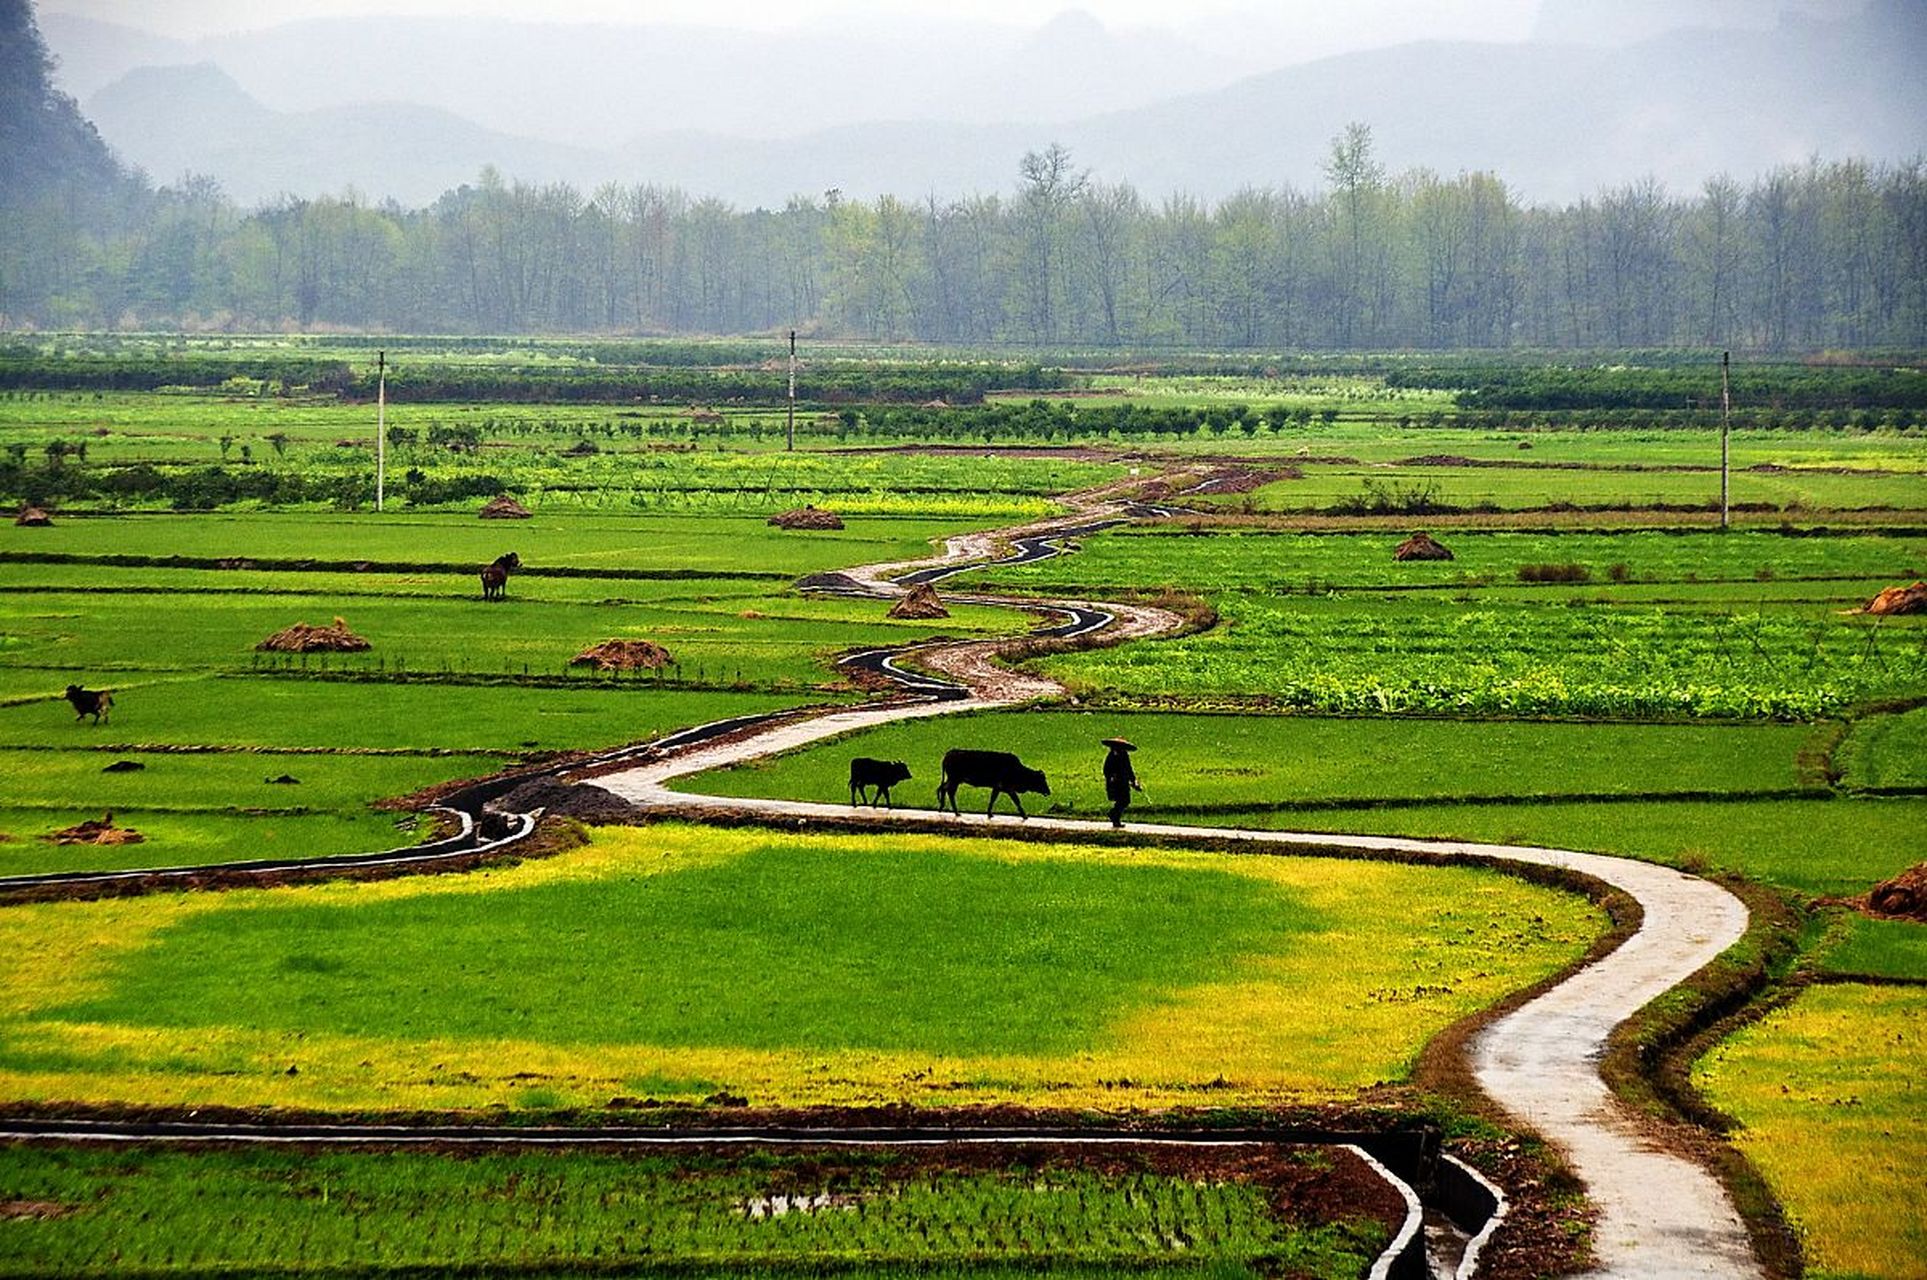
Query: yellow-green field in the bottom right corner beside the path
1830	1102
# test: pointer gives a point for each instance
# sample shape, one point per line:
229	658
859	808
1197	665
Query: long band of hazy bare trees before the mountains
1801	259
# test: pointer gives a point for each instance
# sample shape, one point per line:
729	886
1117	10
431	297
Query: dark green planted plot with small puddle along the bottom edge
787	1213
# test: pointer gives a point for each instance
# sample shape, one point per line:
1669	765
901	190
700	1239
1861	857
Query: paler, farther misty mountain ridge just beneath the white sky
600	86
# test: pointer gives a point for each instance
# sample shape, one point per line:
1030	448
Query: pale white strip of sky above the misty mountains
1367	22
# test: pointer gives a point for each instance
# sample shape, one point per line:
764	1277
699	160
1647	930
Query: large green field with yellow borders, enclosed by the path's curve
681	963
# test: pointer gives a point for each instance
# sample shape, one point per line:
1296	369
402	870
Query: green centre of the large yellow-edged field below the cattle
779	947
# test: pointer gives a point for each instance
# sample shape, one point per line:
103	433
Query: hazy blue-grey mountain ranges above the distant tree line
413	107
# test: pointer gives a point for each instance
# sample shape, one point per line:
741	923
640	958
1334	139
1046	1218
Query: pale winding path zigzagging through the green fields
1660	1215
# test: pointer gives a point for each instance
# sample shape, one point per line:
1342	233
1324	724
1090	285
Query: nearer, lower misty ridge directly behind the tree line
1556	120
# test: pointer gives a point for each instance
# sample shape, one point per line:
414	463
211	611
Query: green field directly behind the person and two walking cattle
1687	795
